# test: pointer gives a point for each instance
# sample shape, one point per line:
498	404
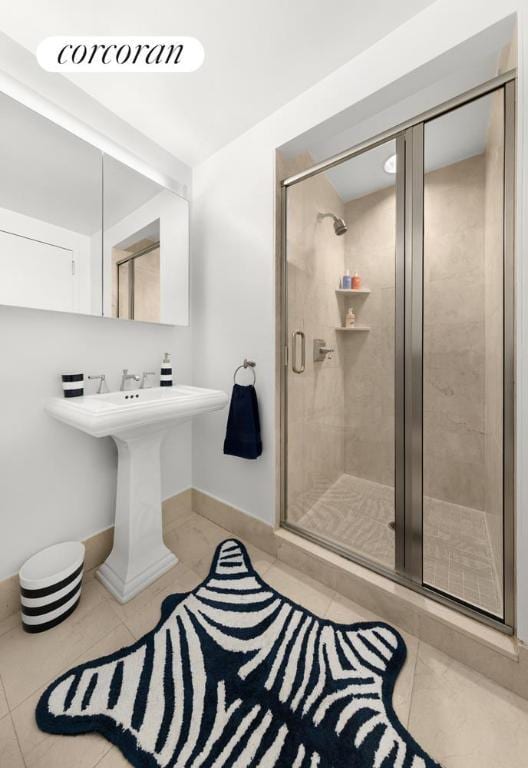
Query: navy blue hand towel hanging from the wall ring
243	424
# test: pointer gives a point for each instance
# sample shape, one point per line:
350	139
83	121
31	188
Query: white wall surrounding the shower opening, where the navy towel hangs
233	308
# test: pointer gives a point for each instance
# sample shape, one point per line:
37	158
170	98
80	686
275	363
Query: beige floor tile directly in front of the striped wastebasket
28	661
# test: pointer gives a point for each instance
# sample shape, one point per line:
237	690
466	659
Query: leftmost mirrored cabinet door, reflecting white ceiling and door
50	214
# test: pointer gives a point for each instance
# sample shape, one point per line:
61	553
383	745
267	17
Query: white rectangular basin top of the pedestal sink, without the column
134	411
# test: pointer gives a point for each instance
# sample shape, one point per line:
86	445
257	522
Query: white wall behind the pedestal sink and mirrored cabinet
55	482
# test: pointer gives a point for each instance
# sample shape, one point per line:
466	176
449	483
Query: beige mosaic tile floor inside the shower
458	557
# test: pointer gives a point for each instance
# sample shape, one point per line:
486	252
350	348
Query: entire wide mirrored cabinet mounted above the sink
81	232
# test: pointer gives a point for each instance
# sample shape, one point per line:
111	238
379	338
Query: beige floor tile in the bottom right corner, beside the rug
463	719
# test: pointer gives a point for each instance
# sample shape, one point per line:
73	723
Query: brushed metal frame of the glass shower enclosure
409	349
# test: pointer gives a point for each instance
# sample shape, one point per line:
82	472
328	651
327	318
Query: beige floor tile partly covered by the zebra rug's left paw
46	750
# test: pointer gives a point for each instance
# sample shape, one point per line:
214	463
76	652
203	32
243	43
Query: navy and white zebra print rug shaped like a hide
235	674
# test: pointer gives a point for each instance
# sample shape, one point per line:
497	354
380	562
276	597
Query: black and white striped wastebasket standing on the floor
50	585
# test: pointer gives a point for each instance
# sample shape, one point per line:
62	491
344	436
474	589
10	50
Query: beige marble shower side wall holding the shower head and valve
315	398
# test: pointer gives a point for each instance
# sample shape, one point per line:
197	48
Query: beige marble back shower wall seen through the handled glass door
368	358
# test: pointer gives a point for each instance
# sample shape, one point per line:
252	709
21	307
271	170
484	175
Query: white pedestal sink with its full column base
138	421
